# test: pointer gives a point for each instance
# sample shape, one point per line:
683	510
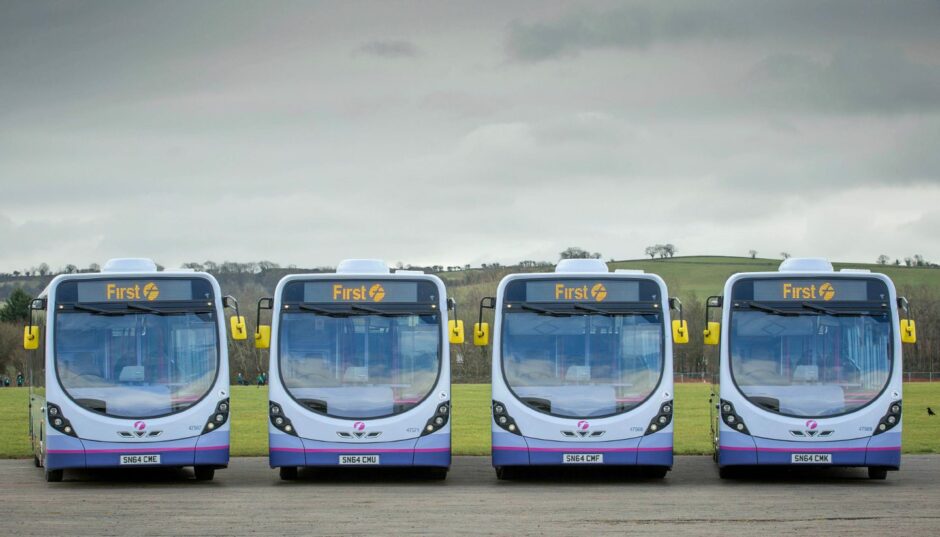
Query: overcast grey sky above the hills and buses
306	132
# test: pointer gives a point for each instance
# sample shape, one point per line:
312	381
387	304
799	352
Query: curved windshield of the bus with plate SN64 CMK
810	364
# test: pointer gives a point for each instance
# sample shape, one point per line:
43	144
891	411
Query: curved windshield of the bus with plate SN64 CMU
359	365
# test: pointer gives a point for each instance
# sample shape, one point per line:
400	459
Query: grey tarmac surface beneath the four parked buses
248	498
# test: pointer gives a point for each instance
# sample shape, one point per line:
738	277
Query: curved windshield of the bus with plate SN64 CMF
580	366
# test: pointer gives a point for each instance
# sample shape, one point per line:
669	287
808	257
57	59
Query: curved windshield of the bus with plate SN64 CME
136	365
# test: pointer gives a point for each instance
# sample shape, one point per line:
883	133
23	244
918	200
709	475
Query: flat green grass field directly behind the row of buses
471	423
